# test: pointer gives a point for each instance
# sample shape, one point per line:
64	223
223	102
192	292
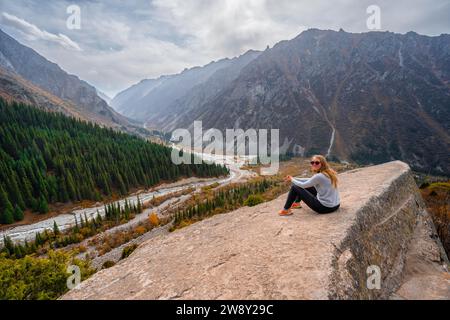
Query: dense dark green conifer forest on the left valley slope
48	157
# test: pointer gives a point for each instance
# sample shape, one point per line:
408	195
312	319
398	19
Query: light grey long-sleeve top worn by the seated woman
326	193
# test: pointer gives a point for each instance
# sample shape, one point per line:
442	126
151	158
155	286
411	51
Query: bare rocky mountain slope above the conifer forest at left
32	78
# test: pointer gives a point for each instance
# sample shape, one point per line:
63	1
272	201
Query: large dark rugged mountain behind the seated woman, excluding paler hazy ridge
379	105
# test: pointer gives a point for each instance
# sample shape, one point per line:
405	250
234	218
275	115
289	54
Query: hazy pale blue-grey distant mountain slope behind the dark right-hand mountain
155	100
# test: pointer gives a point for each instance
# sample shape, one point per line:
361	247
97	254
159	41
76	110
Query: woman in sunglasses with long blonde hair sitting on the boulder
319	192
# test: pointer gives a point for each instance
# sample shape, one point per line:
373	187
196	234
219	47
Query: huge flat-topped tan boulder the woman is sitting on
252	253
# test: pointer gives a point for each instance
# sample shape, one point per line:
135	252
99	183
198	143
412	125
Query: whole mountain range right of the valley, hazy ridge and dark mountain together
366	97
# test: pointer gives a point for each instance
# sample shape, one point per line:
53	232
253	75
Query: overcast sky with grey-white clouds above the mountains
122	42
